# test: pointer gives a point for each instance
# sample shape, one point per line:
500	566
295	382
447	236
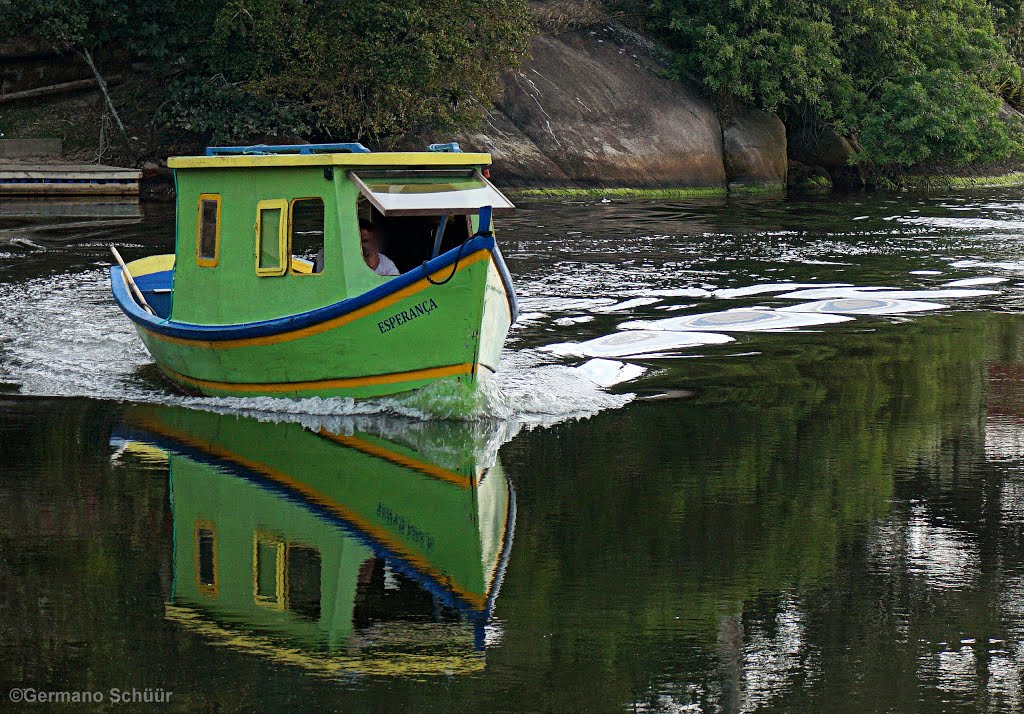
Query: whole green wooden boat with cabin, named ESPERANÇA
275	287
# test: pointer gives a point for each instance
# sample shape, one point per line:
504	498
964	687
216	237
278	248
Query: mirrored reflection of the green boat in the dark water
335	550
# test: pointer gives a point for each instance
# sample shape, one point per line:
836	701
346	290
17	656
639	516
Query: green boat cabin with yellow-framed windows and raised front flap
267	232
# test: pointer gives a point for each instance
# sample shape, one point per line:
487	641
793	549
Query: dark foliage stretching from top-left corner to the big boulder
227	71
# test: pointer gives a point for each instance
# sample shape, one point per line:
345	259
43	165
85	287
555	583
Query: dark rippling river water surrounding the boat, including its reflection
824	520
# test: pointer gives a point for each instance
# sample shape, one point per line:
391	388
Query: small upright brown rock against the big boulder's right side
755	151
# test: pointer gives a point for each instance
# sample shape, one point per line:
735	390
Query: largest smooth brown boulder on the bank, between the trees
592	103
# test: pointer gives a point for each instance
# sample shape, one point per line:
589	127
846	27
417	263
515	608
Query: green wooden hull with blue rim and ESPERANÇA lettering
402	337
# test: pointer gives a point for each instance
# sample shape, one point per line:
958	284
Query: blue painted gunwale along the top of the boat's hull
300	321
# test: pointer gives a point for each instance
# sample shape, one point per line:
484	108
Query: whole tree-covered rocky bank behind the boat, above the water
802	97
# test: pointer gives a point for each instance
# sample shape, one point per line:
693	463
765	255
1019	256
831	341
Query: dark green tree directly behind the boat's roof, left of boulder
345	70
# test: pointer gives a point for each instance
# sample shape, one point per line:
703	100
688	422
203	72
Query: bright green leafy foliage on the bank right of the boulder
912	82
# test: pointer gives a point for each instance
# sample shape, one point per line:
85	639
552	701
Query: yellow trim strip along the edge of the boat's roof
373	159
